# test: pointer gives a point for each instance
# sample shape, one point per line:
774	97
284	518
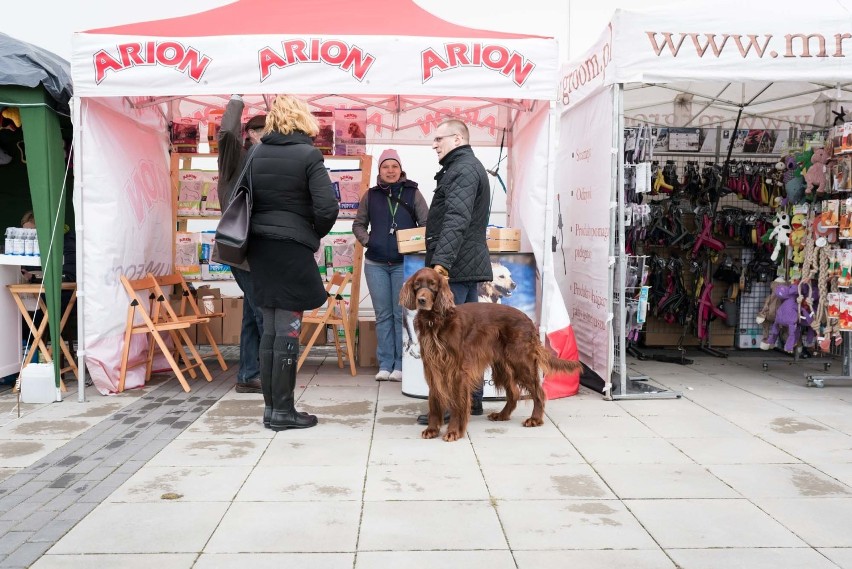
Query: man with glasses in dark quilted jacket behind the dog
458	217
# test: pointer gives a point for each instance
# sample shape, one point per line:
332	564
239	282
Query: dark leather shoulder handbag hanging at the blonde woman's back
232	234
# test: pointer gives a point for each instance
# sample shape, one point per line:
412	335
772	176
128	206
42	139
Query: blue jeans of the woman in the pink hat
385	283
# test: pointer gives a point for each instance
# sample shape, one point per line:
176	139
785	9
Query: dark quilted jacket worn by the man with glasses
458	217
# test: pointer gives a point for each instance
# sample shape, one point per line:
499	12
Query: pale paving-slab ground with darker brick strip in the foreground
749	469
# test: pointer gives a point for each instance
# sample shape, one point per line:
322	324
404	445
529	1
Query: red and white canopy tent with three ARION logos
131	81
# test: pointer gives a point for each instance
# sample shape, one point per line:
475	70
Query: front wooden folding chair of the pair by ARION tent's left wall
147	303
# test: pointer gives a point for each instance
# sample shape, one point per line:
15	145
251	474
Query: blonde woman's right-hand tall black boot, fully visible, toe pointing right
284	414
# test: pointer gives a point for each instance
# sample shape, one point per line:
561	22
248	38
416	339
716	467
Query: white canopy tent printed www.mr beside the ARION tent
686	65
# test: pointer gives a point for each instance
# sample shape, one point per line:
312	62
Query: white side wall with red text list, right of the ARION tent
581	262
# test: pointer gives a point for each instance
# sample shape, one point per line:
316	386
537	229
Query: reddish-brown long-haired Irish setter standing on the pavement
457	343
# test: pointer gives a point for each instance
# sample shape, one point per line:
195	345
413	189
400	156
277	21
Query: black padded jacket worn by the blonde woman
293	195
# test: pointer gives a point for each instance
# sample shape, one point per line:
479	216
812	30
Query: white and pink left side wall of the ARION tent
128	226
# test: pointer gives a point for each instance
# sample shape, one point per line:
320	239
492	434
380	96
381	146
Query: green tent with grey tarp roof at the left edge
38	83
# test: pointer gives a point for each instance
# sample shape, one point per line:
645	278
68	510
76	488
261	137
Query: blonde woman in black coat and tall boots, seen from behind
294	206
